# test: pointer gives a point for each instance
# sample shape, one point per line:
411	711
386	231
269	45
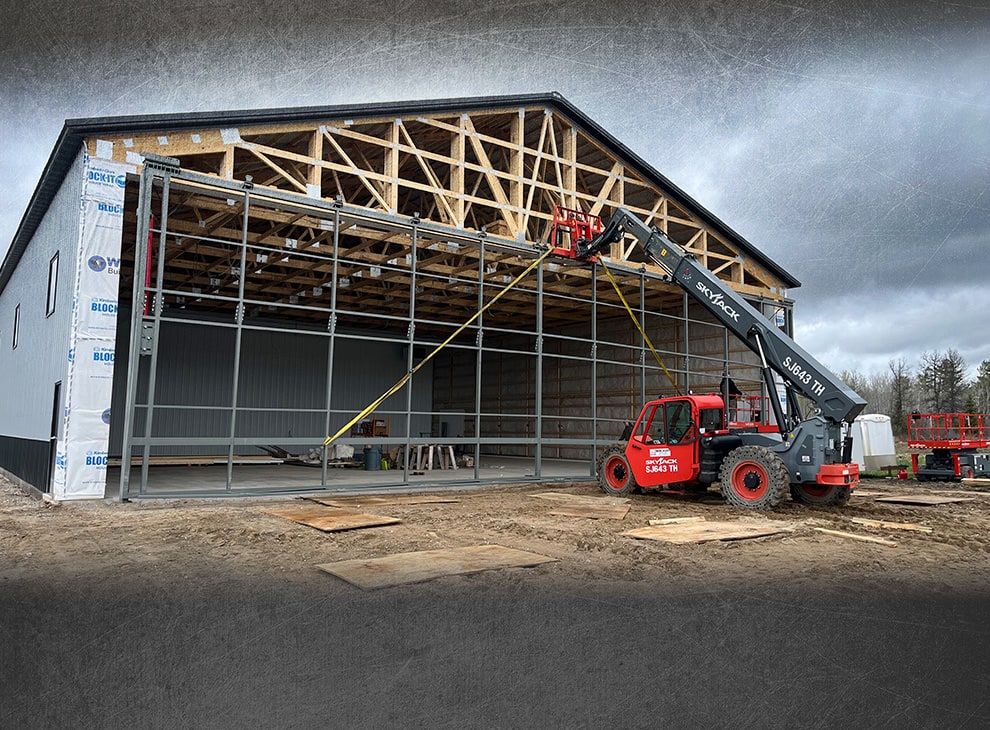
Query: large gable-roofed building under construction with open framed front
194	303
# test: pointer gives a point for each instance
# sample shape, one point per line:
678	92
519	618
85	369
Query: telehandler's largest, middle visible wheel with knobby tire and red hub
753	477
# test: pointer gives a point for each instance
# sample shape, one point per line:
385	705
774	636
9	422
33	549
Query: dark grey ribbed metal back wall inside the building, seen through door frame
281	389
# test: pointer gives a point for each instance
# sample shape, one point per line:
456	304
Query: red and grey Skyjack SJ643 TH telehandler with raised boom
687	442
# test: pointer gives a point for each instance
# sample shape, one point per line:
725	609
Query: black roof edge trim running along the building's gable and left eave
75	131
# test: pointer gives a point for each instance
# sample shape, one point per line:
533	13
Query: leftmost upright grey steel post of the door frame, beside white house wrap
134	343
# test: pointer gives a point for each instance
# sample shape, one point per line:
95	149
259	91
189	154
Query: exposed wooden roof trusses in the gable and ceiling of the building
499	171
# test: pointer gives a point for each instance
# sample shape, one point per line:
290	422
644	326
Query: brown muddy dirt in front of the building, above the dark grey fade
190	536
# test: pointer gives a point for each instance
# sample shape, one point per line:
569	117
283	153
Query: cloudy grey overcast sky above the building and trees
849	141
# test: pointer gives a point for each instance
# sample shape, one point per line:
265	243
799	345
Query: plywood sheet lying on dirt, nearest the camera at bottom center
423	565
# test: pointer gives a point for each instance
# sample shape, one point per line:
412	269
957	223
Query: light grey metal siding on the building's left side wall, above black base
30	372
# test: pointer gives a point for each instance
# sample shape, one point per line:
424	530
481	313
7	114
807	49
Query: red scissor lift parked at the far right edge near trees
954	440
